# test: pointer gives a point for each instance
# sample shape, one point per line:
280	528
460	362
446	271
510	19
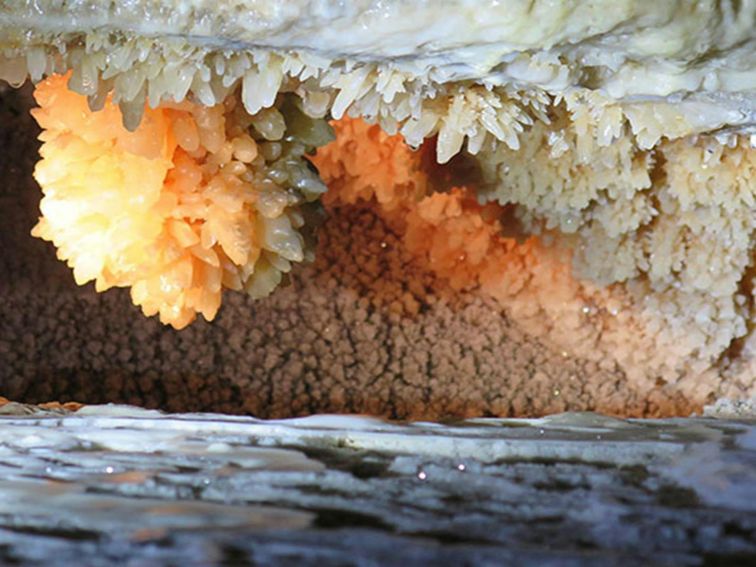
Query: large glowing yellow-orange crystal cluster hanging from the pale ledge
176	210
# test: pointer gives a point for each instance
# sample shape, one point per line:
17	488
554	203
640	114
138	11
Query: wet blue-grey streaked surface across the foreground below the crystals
109	483
